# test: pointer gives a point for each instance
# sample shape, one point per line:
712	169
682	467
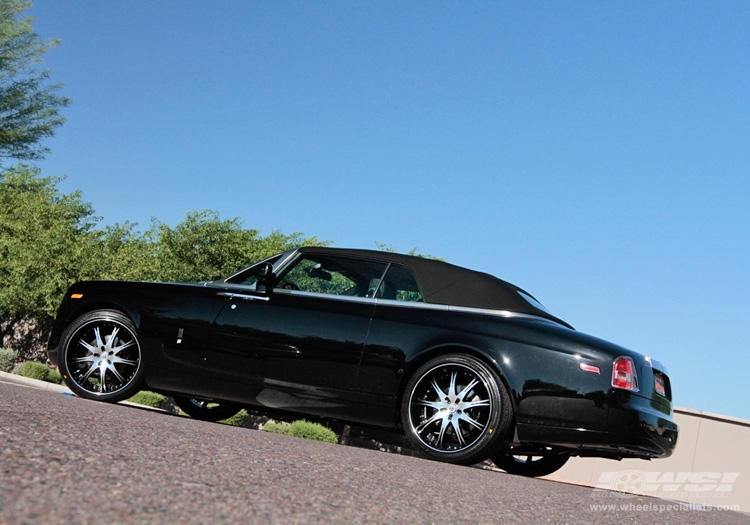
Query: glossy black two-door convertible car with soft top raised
468	366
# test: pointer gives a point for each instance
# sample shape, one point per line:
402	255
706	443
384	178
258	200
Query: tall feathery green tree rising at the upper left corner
29	104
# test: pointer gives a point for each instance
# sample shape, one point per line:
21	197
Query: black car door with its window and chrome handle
304	335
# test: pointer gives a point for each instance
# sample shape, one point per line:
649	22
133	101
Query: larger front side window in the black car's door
333	275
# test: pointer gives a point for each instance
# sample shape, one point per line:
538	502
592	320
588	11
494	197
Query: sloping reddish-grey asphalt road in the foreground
69	460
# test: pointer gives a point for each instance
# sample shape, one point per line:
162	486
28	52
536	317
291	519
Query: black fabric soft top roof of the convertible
445	283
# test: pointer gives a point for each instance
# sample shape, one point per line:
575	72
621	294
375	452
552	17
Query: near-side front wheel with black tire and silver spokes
100	356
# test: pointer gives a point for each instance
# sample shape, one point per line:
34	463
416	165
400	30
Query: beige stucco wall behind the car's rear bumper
710	466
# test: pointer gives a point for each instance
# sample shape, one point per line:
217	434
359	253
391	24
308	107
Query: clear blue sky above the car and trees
593	153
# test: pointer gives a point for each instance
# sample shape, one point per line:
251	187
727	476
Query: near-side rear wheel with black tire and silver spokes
456	409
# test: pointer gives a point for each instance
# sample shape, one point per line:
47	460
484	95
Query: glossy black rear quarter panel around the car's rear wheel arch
538	361
